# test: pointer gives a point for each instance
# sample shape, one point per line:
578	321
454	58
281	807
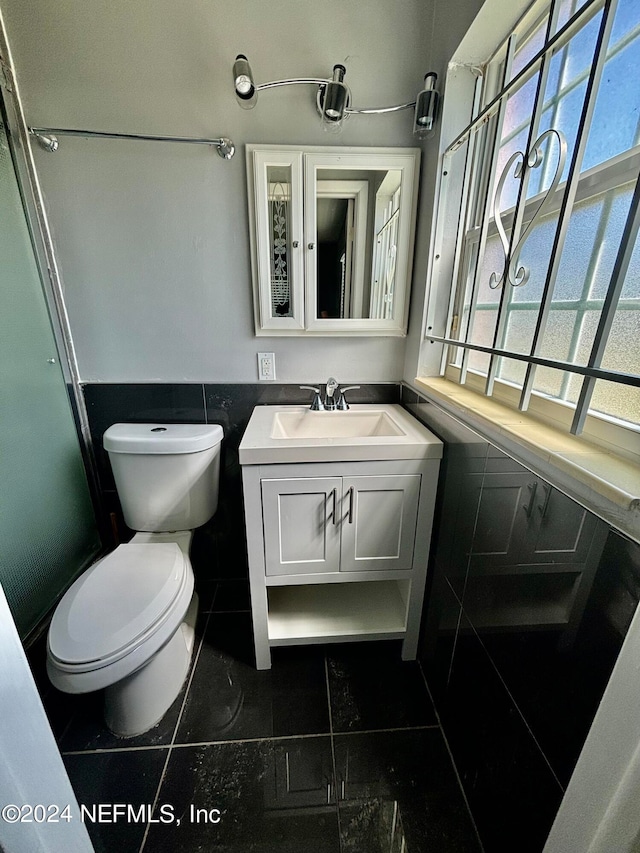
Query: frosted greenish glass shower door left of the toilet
48	530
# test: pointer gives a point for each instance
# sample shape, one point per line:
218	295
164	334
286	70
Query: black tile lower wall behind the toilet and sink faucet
229	405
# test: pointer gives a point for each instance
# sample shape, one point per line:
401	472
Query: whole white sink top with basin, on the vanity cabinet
282	434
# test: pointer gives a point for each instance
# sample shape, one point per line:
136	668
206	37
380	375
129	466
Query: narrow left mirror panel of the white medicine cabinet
279	183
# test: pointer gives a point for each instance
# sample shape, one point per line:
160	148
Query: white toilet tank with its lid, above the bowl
167	475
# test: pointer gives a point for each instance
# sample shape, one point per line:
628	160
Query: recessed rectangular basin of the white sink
356	424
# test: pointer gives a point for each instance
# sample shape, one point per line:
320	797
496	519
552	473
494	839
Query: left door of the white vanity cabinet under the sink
301	525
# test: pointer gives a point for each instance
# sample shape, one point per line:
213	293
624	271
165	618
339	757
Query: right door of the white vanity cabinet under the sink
379	522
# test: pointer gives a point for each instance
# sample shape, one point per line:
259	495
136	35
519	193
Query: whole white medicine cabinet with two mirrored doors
332	233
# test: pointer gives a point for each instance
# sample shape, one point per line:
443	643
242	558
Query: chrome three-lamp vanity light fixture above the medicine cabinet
334	97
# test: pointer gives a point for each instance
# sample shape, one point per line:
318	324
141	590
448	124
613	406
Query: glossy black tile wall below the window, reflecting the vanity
516	692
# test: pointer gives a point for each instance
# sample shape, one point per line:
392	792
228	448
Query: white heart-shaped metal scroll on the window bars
518	276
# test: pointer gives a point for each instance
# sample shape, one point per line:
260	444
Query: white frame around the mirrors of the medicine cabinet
305	163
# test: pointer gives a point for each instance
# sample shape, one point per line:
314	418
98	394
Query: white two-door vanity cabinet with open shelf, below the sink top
338	551
